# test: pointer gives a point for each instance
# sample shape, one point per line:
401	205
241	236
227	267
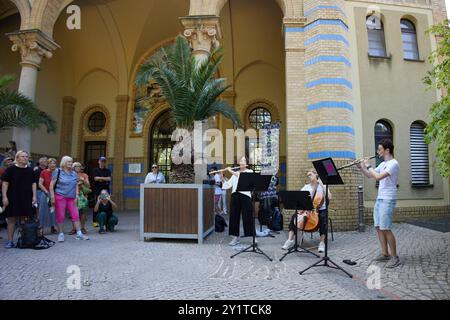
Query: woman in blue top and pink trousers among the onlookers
63	193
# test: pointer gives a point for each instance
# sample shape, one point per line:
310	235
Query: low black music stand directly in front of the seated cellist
297	200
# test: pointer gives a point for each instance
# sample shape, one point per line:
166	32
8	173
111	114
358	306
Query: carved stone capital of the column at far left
34	45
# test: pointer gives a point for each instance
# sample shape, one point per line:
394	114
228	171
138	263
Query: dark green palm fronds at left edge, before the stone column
17	110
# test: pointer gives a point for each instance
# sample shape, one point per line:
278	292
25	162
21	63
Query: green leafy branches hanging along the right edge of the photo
438	130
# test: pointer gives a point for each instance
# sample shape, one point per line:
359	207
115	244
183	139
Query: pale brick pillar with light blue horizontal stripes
329	99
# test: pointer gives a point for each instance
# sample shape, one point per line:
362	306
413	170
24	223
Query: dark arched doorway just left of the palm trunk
161	143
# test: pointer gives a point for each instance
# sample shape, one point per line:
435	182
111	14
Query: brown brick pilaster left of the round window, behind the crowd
66	130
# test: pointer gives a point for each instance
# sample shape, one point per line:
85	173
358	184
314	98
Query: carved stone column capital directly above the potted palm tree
203	33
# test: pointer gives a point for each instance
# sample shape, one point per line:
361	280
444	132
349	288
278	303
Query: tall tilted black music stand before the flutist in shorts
328	173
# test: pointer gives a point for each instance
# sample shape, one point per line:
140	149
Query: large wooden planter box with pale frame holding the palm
176	211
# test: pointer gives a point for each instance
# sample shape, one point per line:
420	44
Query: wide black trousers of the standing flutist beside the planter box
241	204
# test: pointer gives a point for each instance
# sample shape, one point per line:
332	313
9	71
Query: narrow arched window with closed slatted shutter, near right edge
420	169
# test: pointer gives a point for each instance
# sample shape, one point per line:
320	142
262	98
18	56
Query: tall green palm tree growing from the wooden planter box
191	90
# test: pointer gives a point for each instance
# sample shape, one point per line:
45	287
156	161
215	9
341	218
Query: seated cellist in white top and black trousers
317	192
